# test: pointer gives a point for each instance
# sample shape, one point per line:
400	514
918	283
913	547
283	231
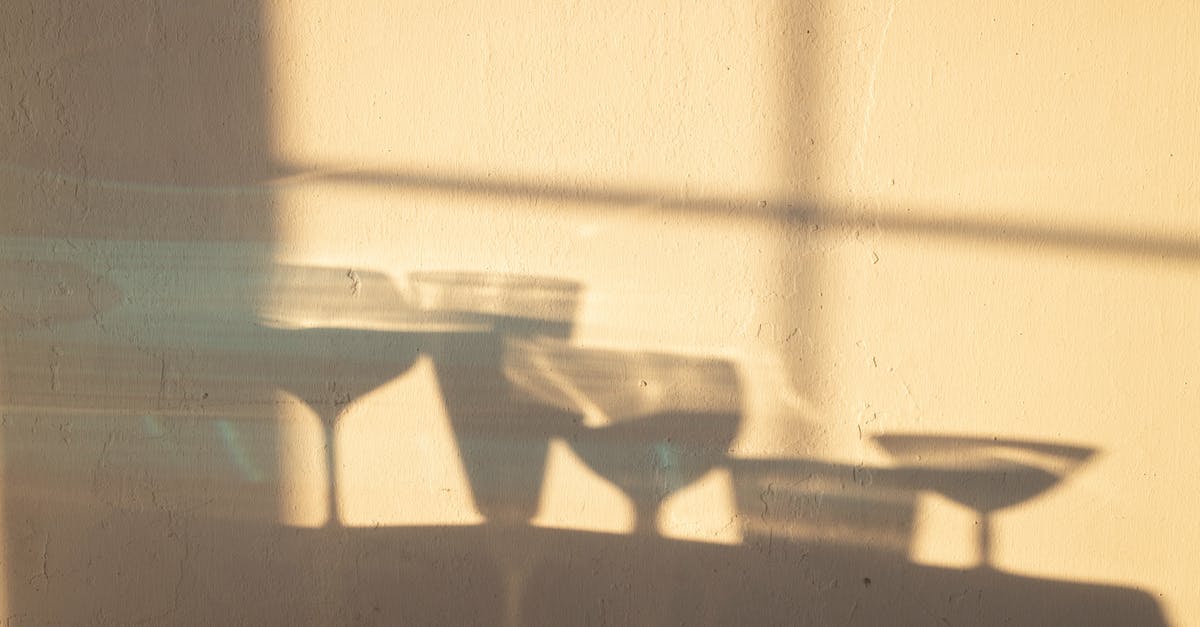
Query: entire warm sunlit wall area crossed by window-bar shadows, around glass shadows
896	218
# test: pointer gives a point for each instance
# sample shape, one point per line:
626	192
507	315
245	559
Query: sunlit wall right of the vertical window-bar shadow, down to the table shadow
1012	249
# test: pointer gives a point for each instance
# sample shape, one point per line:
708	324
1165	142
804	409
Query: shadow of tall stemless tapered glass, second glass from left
503	437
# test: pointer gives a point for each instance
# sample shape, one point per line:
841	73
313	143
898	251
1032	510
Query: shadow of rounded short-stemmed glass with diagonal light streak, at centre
652	423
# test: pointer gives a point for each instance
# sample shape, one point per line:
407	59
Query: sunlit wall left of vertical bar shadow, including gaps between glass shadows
627	147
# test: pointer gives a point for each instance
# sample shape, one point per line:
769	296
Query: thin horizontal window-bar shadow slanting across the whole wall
915	222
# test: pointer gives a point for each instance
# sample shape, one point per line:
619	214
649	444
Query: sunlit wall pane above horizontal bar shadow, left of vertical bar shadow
548	95
